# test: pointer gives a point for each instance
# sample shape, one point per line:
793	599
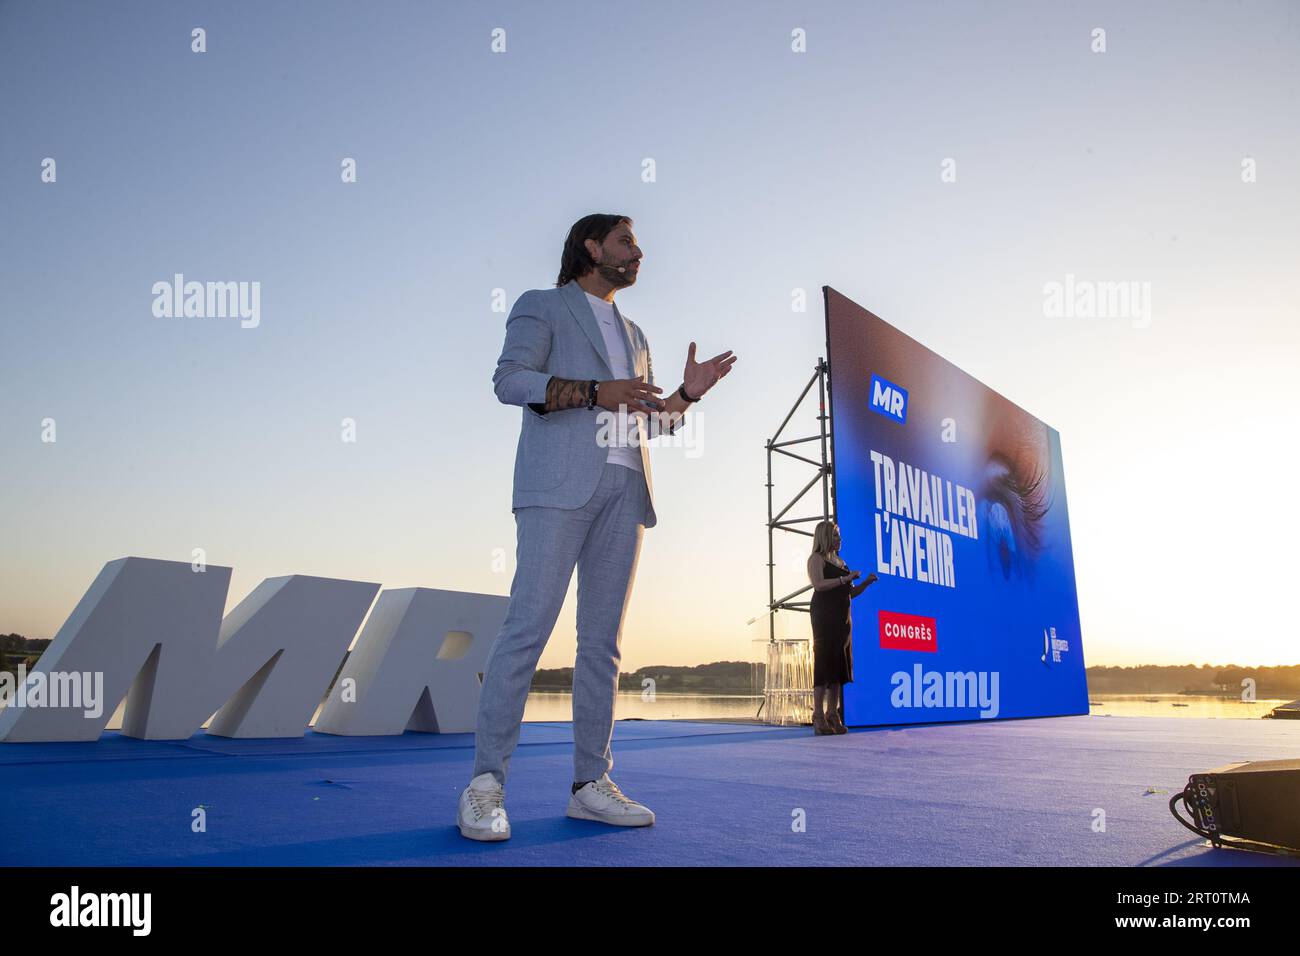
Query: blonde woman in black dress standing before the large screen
833	646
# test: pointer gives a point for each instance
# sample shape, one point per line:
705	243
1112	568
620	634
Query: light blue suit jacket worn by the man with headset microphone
553	332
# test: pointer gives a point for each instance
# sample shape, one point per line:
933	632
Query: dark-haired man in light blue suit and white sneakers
583	498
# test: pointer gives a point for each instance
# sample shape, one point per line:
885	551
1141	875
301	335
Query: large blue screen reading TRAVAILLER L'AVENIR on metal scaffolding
955	498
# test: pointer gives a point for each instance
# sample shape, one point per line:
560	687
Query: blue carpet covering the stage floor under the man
1015	793
